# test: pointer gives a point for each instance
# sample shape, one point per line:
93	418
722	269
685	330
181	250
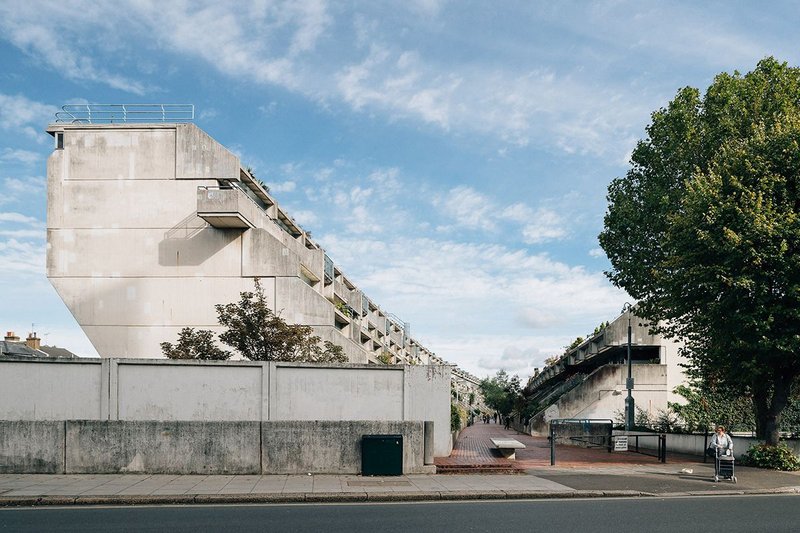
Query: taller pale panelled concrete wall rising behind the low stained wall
224	391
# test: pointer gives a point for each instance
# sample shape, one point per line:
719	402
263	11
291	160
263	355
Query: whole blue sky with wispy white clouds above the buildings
451	157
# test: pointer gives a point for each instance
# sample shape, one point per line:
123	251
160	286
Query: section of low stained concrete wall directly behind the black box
326	447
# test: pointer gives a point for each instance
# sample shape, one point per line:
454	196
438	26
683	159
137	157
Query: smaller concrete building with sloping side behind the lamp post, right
589	380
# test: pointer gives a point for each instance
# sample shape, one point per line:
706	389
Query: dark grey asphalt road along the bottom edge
731	514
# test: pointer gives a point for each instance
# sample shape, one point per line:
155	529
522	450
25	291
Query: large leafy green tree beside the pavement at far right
704	231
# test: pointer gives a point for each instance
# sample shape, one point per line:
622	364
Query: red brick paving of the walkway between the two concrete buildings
474	447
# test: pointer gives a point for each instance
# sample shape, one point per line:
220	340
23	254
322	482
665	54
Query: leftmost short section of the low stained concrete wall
33	447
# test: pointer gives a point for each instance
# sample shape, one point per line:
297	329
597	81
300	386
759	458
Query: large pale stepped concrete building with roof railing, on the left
149	225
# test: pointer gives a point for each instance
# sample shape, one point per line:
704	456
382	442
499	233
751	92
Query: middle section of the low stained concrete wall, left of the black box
162	447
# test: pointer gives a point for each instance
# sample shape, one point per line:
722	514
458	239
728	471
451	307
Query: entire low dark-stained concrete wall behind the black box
188	447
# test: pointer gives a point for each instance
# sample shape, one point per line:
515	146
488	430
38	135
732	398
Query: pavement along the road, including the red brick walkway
579	473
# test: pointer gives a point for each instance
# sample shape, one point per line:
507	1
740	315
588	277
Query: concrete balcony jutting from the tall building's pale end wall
226	208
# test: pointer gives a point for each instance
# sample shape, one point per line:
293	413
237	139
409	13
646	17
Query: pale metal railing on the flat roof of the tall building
124	113
